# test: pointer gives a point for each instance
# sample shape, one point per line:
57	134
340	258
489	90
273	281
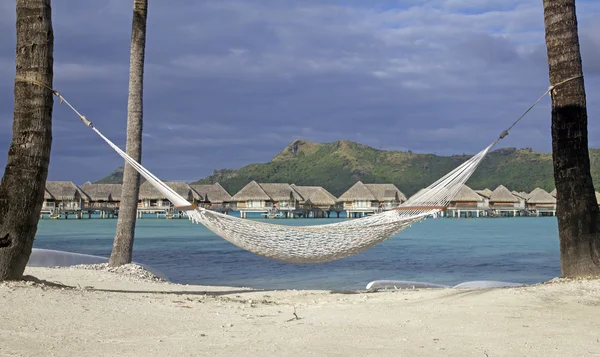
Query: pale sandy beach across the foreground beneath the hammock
102	313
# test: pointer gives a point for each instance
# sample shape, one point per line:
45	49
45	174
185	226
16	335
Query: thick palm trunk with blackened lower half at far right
577	209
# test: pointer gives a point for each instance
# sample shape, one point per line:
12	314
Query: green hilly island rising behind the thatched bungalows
338	165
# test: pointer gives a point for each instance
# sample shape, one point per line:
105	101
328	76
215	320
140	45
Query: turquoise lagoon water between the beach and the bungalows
445	251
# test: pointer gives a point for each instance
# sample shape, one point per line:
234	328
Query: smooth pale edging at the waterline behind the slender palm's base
48	258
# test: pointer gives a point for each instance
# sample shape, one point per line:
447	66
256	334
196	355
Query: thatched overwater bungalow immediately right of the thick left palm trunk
64	197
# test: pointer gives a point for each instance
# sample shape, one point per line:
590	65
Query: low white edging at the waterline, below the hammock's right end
406	284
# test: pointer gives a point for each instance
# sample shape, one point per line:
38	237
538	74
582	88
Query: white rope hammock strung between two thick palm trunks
318	243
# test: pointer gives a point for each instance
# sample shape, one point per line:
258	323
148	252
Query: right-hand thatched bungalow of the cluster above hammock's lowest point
317	201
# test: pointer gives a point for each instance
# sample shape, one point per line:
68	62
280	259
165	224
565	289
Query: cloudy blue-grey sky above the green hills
232	82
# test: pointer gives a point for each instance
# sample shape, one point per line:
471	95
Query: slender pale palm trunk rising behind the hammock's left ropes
123	243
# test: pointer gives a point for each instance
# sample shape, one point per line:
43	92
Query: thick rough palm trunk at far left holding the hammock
24	180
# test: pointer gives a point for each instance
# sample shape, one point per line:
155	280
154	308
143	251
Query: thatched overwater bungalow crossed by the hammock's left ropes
150	200
